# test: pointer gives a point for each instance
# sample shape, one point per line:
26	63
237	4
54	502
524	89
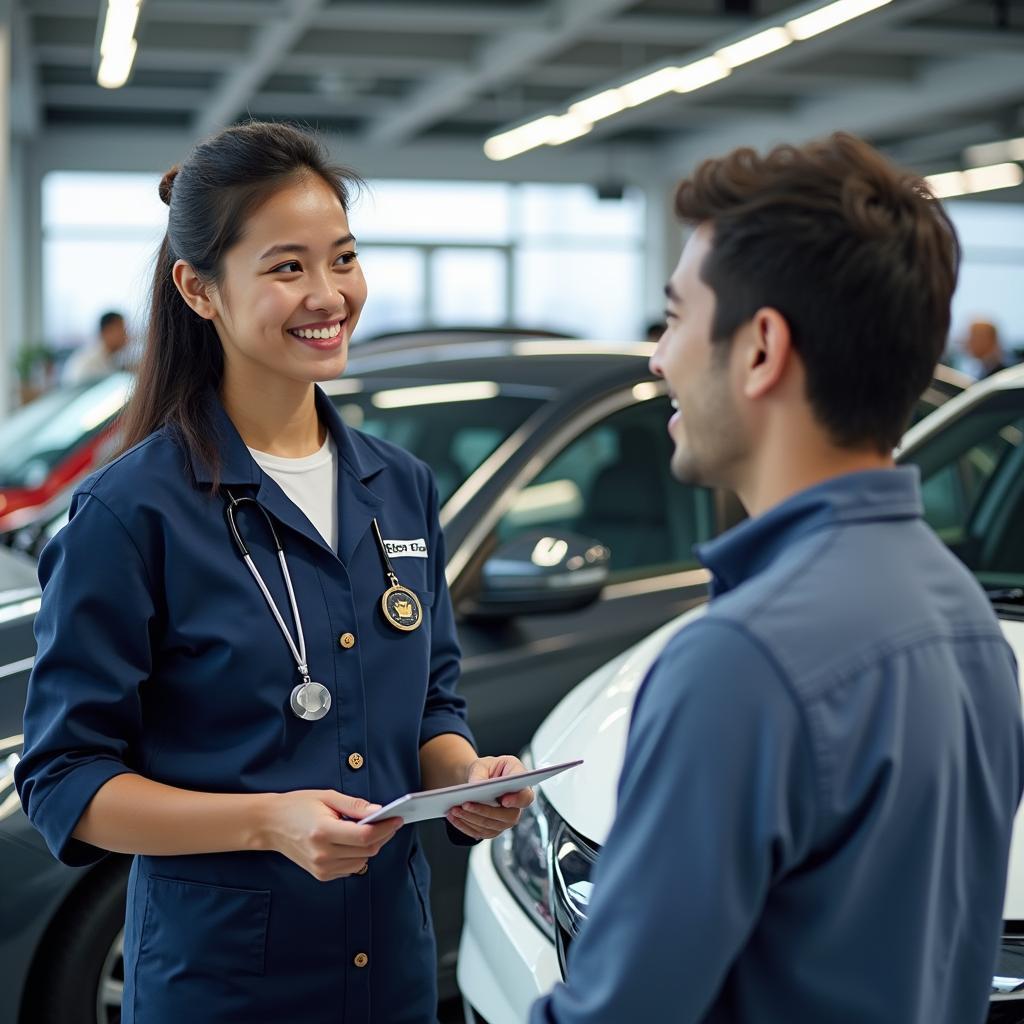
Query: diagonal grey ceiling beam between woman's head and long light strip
499	59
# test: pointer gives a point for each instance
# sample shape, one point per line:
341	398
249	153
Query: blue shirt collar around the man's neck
868	496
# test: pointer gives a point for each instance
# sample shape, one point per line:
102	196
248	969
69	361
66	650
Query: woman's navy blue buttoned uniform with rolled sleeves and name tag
158	655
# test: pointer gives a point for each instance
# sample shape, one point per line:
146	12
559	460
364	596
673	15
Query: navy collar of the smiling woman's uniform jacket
239	467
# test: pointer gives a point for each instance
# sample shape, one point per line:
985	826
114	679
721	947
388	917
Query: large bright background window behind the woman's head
436	254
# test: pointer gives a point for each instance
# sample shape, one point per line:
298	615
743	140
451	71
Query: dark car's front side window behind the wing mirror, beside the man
614	484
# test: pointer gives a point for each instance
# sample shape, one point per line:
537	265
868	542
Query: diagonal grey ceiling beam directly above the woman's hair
273	44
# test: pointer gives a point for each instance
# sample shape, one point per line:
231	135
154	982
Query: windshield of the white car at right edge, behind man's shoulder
973	488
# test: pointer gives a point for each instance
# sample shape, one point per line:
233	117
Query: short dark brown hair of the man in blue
856	253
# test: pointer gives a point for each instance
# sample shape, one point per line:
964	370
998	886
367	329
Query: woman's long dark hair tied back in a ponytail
220	186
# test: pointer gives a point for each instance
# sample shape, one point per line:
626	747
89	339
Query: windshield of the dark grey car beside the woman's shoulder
453	432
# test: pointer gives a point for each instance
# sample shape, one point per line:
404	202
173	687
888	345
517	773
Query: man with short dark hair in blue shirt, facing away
819	790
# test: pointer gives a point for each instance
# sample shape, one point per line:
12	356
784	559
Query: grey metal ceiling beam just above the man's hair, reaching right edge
948	88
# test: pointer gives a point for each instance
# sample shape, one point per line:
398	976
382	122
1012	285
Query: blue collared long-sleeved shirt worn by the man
820	786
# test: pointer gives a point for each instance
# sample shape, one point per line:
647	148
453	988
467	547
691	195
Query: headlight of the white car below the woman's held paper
521	858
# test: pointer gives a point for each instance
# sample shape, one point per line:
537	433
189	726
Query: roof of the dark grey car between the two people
548	365
